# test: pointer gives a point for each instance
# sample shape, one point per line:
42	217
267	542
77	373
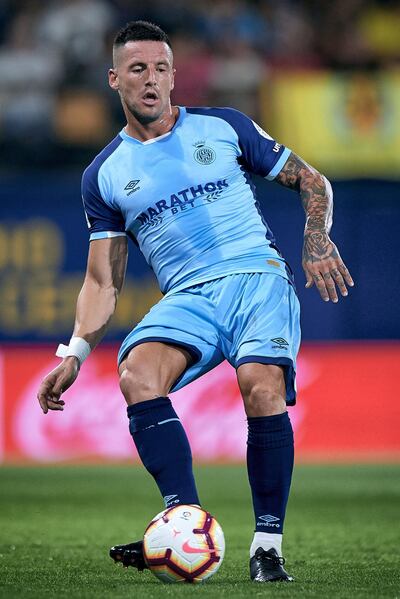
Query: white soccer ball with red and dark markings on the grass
183	544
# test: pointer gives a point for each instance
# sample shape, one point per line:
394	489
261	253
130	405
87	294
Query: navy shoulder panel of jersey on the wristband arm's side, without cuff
101	217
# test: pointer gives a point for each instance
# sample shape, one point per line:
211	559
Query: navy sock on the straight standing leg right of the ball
270	455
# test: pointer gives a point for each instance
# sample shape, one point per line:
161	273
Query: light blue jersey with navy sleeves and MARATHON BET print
186	197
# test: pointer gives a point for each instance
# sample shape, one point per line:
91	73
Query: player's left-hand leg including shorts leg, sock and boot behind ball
174	344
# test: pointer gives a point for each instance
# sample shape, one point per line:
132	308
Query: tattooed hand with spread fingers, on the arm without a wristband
323	266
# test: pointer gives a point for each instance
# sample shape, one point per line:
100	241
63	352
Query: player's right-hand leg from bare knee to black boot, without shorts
270	454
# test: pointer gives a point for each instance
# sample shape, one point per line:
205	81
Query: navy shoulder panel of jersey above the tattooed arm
260	152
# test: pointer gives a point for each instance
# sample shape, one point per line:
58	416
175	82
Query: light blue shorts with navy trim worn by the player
249	317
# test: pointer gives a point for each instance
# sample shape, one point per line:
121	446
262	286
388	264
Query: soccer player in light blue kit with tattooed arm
177	182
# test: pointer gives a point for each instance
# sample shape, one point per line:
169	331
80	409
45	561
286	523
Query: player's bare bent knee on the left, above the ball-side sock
137	384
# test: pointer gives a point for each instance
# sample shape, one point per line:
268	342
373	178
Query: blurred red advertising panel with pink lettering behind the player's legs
347	408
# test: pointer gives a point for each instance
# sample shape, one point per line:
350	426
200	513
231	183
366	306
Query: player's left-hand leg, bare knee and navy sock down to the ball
146	377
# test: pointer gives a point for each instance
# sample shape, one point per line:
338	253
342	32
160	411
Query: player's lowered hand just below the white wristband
56	382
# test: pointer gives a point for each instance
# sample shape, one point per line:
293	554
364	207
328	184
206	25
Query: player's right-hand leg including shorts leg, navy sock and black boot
265	336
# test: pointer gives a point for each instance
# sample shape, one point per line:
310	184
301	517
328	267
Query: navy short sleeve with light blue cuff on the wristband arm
103	220
